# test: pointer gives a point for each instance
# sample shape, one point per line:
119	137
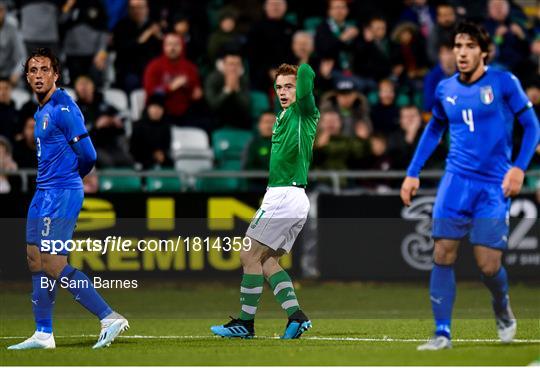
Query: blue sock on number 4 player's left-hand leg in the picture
442	290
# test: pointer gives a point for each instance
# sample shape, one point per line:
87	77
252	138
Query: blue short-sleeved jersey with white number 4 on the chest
480	117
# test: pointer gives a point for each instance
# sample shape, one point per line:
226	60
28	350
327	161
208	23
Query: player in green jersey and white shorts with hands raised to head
285	206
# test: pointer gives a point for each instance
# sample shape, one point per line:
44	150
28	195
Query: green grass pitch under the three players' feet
354	324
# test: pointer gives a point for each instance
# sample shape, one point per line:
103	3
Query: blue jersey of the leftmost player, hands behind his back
58	124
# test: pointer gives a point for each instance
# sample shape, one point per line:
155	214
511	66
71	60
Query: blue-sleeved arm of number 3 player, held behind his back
72	125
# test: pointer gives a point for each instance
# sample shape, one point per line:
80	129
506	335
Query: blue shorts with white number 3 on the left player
52	215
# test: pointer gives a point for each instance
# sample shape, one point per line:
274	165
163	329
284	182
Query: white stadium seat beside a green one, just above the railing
190	149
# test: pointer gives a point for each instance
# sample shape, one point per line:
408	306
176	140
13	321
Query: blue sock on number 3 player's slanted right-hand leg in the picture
84	292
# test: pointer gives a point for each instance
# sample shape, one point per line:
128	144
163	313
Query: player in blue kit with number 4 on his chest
478	106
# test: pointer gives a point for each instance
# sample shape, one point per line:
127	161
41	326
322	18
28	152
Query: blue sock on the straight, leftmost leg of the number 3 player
42	302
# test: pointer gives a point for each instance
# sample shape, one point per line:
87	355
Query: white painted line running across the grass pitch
320	338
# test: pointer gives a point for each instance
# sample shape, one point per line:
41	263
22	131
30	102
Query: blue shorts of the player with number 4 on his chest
468	206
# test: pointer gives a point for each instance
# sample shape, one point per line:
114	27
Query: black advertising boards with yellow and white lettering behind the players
353	237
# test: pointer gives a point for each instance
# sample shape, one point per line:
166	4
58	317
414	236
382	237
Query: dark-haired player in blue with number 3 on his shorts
65	155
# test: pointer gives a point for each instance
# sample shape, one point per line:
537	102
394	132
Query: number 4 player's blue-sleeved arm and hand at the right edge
520	105
